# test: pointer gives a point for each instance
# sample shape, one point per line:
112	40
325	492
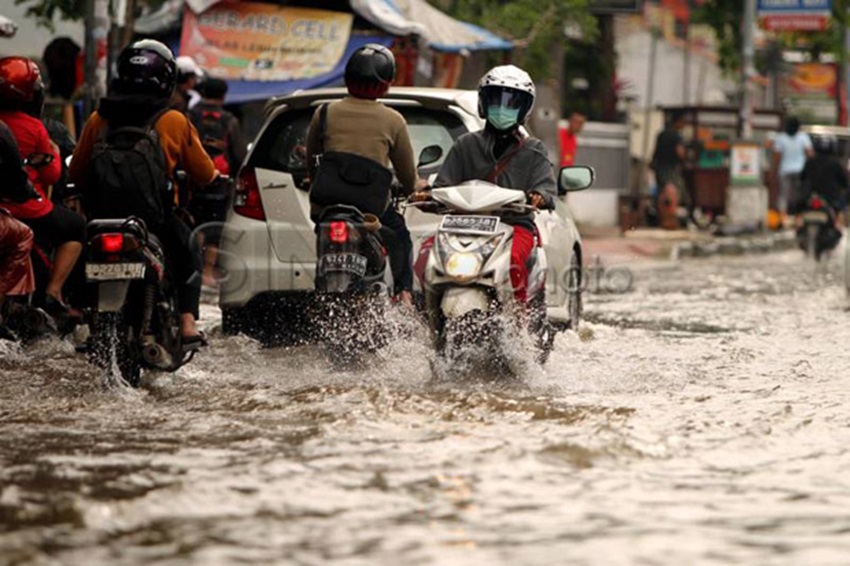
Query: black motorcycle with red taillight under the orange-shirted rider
134	317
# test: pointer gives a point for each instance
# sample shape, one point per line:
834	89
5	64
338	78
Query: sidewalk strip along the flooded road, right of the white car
643	244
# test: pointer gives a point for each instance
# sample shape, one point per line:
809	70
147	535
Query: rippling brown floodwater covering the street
703	418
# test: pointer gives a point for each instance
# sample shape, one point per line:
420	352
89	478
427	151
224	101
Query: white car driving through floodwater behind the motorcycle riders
268	245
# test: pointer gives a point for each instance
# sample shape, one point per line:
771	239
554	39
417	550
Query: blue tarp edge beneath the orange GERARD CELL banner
248	91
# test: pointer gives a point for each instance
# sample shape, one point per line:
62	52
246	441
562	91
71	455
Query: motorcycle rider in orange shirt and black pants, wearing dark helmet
144	84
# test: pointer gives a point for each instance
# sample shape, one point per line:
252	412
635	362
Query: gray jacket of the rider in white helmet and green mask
471	157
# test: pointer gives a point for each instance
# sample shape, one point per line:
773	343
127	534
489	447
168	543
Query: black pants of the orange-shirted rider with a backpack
183	260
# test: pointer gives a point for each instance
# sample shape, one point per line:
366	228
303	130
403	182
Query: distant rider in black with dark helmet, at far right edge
826	175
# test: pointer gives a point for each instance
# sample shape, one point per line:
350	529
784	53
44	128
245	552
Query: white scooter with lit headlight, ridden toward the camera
466	277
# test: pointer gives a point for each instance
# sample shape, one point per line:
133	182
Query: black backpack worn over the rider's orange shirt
128	175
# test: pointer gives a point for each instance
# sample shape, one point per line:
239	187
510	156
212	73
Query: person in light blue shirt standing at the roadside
791	148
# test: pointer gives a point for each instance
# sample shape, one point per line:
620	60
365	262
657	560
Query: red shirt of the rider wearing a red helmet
32	137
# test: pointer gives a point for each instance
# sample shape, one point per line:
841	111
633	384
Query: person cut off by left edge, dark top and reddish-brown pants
16	238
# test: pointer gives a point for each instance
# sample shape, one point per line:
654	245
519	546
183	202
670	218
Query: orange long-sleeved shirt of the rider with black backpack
179	141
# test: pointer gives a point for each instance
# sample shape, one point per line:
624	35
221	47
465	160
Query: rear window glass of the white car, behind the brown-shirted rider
282	147
